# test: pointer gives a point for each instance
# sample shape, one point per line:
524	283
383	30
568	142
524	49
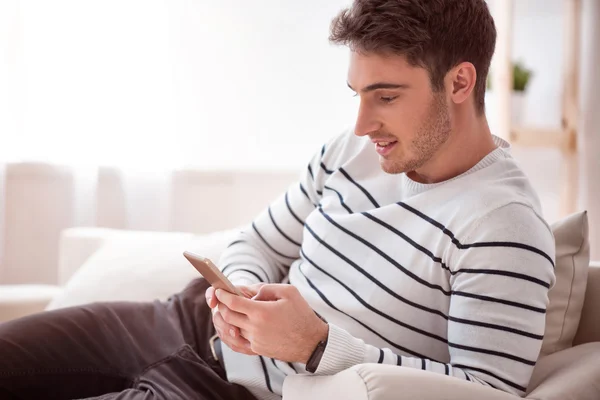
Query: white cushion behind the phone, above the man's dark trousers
139	267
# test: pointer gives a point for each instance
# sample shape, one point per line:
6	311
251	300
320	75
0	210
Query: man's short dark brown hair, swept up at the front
433	34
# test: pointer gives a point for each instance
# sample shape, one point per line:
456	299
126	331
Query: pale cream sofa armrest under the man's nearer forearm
387	382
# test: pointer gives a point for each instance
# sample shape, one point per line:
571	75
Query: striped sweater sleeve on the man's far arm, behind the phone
264	251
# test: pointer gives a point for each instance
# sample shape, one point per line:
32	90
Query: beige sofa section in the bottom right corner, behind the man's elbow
572	374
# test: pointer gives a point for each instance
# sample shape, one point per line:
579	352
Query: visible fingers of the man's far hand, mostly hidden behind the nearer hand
230	334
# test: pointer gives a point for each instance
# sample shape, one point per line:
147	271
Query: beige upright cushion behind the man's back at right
568	293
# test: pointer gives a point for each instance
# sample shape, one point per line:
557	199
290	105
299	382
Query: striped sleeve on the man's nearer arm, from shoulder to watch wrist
508	256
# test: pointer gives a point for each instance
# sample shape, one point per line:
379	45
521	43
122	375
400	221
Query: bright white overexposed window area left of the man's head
167	84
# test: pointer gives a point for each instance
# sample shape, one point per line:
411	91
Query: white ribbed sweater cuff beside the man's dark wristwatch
342	352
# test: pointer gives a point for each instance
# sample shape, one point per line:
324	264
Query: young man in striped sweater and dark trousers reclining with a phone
415	241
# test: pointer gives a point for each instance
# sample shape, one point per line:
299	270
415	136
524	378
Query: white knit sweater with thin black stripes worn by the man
451	277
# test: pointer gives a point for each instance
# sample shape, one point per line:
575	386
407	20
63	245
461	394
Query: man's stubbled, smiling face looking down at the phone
399	111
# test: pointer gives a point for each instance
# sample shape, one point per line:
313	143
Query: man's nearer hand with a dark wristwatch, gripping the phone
276	322
